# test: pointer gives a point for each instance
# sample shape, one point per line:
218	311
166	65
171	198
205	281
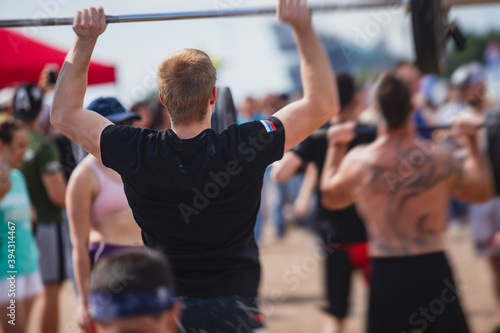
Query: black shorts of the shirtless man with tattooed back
414	294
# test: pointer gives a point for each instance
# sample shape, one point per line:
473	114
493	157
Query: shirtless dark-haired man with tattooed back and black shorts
401	185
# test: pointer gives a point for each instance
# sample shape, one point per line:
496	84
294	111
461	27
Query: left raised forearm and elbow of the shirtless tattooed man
337	177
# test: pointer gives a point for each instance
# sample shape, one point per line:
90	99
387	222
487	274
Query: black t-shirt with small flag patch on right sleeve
197	200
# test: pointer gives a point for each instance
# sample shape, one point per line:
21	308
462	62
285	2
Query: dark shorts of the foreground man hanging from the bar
225	314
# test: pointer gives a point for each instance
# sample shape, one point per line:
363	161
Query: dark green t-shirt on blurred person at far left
42	158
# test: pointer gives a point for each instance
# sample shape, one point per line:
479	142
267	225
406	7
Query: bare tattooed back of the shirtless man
402	193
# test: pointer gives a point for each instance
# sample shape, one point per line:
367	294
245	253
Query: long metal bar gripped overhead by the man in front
195	15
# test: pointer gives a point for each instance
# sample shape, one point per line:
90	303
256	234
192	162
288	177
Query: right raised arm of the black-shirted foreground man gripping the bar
320	101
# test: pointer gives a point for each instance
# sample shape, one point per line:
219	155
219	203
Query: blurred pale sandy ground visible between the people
292	289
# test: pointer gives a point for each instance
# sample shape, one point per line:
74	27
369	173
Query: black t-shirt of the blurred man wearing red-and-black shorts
334	226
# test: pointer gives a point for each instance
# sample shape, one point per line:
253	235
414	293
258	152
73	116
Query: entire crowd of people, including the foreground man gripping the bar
157	218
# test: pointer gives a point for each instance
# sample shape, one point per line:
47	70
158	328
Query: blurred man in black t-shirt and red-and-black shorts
342	232
